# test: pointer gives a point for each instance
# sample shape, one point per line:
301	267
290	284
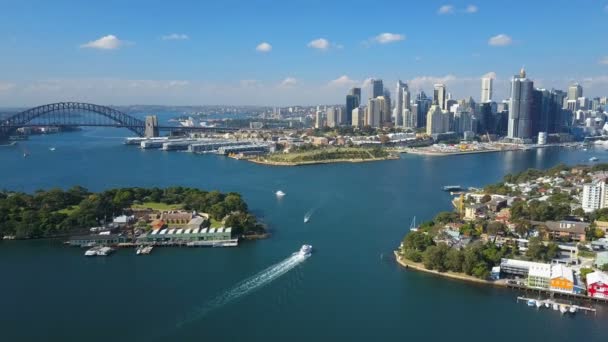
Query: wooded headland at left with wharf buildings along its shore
130	213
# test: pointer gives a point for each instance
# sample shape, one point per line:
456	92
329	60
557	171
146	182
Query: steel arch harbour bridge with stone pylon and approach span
77	114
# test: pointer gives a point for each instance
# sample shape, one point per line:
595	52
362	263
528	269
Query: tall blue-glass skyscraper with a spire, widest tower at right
520	107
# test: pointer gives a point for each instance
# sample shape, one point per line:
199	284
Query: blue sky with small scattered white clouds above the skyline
297	52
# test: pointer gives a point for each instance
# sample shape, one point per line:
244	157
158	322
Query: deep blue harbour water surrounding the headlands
349	289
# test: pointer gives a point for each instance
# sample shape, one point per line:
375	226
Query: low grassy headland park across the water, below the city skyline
308	154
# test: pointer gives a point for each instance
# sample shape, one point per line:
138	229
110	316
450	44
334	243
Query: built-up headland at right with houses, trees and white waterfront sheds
536	229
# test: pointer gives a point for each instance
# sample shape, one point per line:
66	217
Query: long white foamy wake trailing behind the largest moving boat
247	286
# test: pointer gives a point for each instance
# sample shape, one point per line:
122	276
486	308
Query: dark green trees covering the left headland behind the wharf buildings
56	212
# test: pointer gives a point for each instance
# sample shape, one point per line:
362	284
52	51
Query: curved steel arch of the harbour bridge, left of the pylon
61	114
